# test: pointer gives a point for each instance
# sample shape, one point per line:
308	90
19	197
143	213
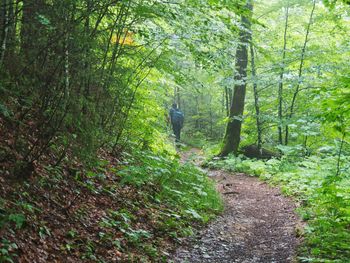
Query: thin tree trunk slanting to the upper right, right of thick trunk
301	66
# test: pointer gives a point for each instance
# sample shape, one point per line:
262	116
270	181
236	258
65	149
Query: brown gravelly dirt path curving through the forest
258	223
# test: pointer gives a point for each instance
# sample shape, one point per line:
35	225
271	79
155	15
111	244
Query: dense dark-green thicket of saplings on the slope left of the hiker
94	83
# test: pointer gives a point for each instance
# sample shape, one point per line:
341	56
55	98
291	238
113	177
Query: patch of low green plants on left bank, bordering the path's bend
181	186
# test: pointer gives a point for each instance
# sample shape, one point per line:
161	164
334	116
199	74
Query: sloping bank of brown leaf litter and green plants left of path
130	211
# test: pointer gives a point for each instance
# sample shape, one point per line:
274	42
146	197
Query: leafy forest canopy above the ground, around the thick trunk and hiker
93	68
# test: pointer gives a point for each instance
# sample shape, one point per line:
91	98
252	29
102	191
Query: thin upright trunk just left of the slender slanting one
280	85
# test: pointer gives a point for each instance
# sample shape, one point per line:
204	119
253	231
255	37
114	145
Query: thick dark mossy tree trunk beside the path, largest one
234	125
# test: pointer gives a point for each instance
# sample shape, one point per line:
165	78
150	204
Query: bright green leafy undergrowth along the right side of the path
324	199
